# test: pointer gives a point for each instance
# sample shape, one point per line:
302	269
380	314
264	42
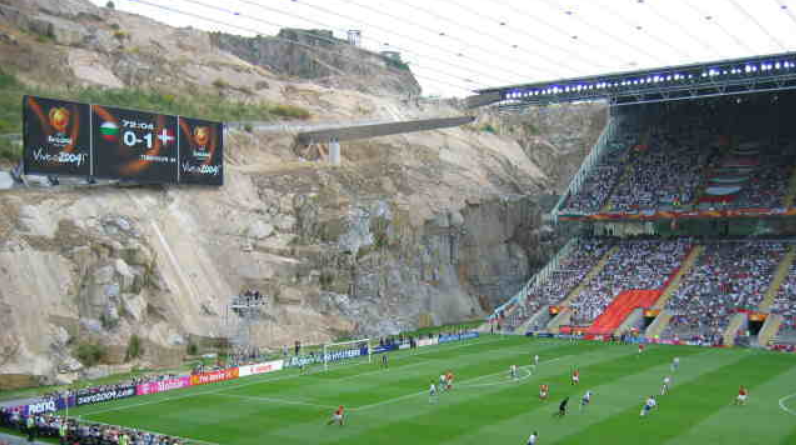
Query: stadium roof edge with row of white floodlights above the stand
727	77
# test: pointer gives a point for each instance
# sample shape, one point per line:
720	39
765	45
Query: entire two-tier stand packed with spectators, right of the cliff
681	193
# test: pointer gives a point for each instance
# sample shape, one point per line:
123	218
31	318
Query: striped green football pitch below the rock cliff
486	406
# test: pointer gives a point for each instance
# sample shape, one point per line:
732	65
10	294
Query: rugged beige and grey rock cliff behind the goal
437	226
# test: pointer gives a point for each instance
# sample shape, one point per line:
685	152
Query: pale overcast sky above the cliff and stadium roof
456	46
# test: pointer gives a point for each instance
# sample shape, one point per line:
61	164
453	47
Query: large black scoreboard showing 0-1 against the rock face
66	138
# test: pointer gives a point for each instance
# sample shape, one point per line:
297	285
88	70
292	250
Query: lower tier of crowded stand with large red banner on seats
599	286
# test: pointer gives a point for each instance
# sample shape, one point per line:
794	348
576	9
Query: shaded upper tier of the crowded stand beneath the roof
692	158
